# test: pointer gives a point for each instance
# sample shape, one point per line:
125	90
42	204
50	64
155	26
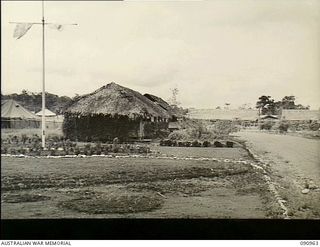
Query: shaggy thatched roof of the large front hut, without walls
113	99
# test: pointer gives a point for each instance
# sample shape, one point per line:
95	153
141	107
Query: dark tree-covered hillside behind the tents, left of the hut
33	101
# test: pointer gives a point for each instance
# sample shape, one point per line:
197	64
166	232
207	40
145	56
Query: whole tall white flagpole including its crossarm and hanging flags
21	29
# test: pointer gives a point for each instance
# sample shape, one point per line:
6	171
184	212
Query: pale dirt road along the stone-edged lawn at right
294	163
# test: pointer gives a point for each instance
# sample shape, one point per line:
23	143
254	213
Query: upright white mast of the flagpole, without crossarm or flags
43	122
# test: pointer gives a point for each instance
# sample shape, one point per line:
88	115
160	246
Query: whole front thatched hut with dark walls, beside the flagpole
115	111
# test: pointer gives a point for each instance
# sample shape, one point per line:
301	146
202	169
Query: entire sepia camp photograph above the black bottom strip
160	110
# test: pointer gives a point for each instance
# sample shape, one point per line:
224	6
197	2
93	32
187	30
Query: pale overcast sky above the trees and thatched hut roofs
213	51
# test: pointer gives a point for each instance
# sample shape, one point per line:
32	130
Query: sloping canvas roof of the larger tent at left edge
10	109
